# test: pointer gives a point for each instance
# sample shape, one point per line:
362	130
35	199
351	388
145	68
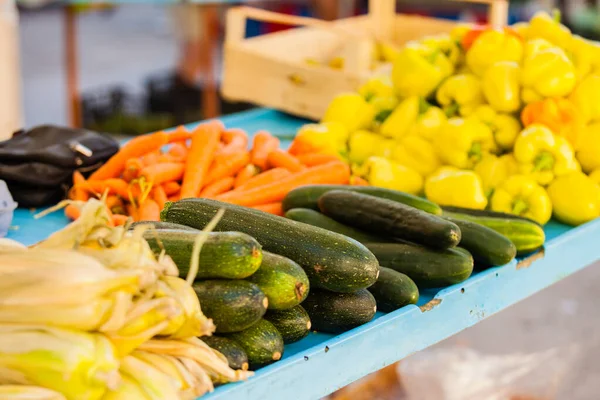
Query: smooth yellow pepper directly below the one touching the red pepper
501	86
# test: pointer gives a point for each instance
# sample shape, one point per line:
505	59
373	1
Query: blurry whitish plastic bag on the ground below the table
464	374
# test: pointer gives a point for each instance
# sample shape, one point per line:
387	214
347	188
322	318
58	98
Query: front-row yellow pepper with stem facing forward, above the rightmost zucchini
522	196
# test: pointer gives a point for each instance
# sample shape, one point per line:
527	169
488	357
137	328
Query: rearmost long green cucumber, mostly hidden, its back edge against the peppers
308	196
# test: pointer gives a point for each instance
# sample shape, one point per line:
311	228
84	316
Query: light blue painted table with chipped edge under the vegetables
322	363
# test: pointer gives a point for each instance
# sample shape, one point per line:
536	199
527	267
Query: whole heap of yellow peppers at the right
507	120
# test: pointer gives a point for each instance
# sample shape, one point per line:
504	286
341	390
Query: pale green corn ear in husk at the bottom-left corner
81	366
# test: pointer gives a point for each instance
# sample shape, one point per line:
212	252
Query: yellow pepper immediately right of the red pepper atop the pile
493	46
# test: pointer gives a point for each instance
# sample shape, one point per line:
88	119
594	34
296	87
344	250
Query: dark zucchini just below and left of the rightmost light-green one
487	246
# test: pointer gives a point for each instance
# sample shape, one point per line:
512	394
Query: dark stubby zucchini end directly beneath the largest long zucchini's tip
339	312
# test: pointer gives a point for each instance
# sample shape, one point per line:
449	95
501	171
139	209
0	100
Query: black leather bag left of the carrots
38	164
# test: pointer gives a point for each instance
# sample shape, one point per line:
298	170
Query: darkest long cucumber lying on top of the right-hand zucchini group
388	218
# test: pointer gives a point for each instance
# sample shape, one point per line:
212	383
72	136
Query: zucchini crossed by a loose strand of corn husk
226	255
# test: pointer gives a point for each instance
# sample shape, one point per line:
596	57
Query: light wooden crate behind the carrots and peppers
271	70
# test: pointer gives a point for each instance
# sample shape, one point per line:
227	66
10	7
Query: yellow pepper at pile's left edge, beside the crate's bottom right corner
351	110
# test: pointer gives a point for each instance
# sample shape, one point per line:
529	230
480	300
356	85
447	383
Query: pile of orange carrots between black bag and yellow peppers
209	161
